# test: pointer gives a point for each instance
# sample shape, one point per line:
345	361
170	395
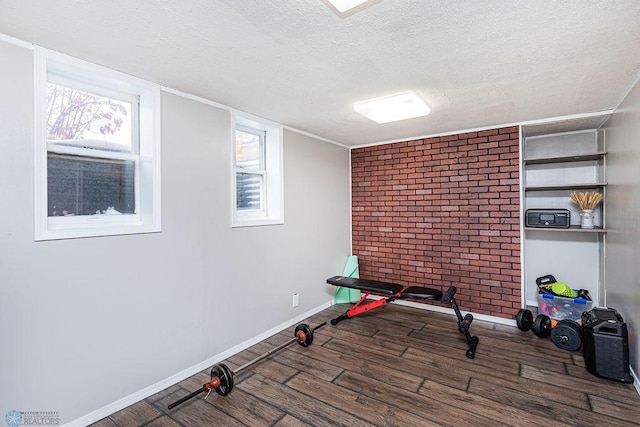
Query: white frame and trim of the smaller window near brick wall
273	209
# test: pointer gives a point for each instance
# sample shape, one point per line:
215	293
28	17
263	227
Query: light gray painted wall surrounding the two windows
86	322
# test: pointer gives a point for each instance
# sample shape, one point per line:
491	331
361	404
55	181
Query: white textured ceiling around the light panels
299	63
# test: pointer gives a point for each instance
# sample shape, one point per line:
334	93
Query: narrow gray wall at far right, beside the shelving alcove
622	248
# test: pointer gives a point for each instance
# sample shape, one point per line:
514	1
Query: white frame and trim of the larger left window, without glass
148	216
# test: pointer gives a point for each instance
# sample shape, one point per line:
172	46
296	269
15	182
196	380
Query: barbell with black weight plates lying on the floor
222	377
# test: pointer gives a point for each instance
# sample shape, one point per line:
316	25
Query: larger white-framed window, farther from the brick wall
97	150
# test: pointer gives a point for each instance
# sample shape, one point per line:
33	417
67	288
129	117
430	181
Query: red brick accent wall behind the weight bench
442	211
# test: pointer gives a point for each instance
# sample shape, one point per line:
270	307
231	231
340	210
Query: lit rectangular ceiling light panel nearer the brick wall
401	106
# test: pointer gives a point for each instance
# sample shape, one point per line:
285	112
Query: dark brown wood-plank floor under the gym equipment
399	366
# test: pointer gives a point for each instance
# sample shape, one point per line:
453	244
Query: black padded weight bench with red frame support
392	291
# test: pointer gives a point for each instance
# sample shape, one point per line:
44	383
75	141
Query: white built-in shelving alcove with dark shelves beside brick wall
555	163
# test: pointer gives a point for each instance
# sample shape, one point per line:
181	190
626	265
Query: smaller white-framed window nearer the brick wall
257	178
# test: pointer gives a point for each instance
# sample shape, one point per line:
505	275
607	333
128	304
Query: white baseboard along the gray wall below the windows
136	397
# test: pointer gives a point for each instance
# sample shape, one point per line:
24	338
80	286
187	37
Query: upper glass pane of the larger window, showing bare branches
83	119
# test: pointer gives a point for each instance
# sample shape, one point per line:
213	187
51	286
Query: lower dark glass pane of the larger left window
80	185
